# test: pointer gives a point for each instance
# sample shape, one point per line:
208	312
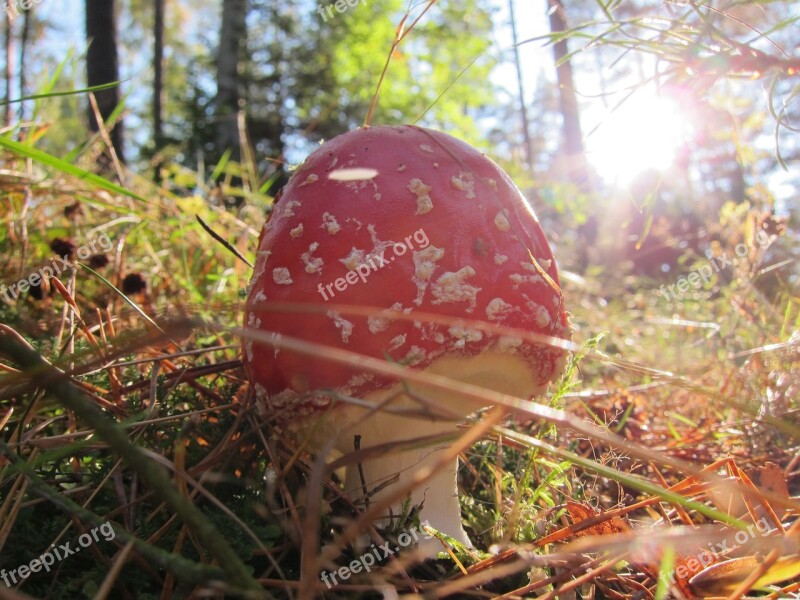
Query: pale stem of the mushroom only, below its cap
438	496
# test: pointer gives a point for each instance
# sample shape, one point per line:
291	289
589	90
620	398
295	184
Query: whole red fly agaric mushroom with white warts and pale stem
409	220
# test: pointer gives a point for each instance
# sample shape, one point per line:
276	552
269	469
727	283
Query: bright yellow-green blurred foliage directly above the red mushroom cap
421	68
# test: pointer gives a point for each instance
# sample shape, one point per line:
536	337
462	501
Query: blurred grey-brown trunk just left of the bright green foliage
233	32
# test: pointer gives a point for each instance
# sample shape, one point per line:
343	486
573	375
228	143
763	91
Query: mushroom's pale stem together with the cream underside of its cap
438	496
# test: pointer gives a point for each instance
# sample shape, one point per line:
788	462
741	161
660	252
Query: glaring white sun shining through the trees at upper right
645	132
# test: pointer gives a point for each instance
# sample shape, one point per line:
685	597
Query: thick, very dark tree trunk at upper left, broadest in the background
102	66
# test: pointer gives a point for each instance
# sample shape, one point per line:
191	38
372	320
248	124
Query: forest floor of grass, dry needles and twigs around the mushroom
142	455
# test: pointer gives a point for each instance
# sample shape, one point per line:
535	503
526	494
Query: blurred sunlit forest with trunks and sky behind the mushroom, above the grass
662	115
